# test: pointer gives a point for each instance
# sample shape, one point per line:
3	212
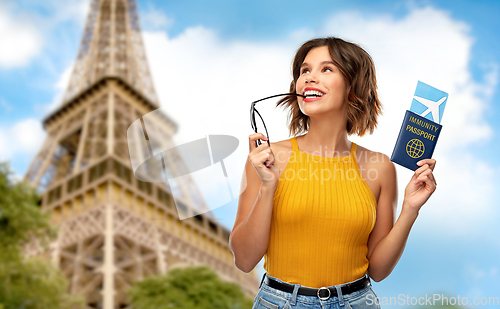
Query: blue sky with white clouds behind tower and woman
453	45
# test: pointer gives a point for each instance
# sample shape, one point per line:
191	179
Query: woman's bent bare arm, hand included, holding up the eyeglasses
250	235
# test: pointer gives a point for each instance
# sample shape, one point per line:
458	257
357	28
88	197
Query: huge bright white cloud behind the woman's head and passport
207	85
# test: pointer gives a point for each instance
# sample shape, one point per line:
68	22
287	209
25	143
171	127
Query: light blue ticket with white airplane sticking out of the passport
429	102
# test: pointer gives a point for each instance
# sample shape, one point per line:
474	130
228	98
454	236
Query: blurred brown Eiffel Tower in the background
113	228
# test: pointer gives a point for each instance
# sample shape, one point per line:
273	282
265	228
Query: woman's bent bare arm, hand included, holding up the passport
387	242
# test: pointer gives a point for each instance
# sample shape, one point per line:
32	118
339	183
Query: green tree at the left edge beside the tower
27	283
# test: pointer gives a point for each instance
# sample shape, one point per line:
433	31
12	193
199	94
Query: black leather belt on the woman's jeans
322	293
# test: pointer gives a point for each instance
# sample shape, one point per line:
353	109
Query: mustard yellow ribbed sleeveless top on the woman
323	213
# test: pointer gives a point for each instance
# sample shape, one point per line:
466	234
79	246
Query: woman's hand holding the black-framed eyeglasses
262	159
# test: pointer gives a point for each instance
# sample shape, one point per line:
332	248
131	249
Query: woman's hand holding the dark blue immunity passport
421	185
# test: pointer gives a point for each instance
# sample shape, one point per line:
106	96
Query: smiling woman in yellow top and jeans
319	208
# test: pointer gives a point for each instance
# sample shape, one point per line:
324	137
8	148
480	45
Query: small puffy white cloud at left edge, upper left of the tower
20	39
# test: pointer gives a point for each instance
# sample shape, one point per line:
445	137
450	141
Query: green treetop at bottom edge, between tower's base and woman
188	288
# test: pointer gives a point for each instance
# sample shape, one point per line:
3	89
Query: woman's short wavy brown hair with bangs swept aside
359	72
